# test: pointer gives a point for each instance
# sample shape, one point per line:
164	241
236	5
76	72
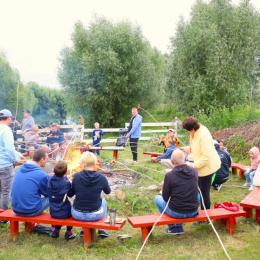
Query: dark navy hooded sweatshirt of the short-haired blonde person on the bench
88	186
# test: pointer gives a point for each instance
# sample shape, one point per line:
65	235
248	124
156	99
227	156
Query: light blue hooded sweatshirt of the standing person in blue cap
8	154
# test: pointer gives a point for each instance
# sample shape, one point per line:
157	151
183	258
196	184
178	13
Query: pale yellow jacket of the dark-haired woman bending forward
206	158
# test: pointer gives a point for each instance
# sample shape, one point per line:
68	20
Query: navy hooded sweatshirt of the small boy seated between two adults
57	188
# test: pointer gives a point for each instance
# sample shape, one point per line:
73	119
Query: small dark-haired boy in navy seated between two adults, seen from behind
59	188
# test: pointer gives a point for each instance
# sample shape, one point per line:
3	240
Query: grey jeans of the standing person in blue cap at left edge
6	177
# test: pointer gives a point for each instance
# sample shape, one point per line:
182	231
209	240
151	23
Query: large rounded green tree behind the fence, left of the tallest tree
109	69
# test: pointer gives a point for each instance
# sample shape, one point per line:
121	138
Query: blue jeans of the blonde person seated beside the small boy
93	216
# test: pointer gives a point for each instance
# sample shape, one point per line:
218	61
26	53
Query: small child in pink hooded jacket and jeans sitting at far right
250	173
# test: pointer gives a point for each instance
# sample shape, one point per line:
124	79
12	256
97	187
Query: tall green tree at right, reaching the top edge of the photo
213	60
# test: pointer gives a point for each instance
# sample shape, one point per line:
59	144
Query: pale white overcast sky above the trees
33	32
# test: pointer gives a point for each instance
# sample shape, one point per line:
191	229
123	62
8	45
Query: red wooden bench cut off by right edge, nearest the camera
250	202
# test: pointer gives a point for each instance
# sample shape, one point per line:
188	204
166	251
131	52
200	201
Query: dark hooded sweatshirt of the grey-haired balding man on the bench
181	184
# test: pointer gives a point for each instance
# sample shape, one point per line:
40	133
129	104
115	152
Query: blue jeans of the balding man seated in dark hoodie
161	204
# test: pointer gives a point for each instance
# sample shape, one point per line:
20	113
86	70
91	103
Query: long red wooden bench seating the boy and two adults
45	218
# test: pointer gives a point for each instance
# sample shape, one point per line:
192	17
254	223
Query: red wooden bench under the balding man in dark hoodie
146	222
